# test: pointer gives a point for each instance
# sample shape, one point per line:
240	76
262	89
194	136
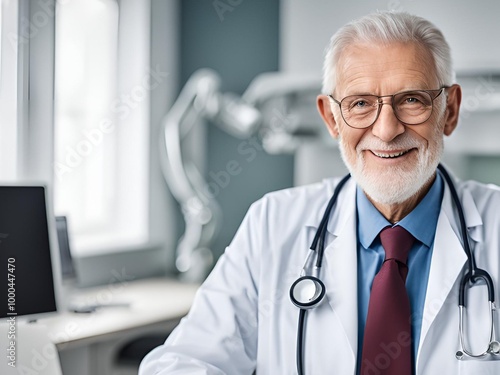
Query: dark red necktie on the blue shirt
387	340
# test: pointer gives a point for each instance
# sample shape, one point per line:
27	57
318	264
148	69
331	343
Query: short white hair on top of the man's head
385	28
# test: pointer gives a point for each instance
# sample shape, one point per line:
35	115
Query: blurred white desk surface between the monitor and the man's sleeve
150	301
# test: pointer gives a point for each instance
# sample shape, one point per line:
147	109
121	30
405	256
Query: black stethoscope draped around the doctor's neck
308	291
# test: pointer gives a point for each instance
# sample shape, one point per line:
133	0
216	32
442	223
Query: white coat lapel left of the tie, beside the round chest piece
340	264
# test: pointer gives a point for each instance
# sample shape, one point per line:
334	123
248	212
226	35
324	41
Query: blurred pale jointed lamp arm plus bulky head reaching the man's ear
274	106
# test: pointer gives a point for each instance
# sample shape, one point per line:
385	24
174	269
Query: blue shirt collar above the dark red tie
417	222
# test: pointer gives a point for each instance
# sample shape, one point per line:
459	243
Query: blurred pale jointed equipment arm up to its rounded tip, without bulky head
199	98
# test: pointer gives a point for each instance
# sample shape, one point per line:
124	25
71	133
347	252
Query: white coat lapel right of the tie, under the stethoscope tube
448	258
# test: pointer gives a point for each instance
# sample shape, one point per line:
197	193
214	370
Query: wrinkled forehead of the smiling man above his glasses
382	69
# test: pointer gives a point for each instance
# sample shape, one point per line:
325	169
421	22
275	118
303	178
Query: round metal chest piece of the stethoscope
307	292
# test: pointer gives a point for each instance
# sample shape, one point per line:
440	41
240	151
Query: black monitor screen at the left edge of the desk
26	265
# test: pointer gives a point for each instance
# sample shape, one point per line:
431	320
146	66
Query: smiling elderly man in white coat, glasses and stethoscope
384	296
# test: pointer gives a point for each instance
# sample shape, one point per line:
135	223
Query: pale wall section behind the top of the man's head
471	28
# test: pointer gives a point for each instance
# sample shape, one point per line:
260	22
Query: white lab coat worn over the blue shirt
242	318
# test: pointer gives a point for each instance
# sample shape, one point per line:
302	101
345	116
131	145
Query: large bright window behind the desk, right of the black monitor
101	116
